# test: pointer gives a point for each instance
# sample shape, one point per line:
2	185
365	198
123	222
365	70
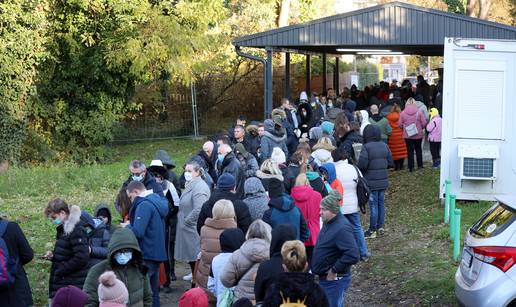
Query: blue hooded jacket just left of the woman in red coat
284	211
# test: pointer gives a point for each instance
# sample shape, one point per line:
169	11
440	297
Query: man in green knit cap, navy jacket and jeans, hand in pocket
335	251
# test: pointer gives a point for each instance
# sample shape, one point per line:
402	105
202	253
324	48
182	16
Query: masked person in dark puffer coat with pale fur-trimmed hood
71	253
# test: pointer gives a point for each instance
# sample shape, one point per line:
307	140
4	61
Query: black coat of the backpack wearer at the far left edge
19	294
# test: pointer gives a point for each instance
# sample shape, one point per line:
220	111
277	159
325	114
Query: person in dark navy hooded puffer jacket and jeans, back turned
374	160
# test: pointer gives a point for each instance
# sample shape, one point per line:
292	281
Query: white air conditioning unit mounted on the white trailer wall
478	162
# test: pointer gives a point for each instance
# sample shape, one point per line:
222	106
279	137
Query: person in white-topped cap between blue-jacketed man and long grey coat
159	172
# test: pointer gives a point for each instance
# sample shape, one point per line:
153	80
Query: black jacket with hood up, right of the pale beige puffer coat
269	270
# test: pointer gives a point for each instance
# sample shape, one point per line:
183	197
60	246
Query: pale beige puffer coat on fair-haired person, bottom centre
240	271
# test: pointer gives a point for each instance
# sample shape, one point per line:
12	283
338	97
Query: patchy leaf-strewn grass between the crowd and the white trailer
418	255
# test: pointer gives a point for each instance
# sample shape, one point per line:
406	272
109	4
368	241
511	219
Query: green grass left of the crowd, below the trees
26	191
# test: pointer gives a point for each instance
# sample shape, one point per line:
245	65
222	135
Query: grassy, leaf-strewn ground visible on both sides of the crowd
411	263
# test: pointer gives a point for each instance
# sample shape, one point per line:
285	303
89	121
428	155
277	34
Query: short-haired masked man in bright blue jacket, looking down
147	221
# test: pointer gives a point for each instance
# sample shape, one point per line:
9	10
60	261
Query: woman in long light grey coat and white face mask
196	193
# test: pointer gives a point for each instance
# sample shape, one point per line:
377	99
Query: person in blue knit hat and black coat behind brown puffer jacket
226	190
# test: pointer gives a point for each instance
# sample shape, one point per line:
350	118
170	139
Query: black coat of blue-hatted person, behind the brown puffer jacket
241	210
